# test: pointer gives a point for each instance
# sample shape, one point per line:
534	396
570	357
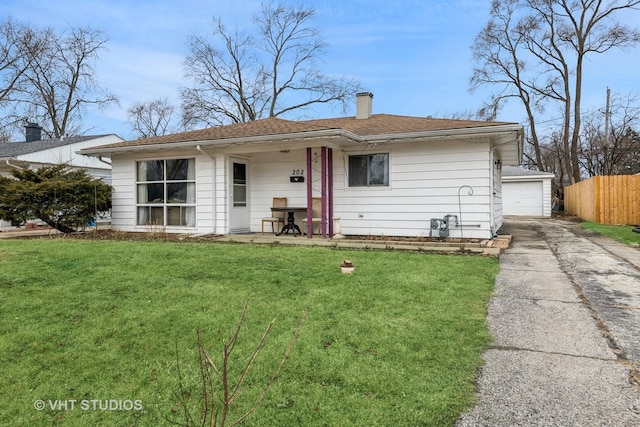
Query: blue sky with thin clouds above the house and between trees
413	55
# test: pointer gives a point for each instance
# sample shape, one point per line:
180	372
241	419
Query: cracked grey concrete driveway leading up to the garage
565	318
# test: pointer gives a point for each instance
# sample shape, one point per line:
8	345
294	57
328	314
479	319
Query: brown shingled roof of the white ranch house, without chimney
378	124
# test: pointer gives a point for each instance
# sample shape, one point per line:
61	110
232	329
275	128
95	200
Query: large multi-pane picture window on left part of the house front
166	192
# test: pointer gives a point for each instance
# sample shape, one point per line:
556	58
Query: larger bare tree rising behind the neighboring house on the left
61	81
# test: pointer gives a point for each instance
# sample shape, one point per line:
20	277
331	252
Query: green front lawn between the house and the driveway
396	343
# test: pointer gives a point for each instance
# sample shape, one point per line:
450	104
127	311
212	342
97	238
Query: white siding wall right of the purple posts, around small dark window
424	183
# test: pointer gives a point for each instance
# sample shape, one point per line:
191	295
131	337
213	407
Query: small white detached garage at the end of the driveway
526	192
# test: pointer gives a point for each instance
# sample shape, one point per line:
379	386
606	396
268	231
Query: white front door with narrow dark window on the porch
239	200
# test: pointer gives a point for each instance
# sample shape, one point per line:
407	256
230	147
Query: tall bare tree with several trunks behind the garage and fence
535	50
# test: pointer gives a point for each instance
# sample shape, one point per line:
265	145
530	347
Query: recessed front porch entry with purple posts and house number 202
297	175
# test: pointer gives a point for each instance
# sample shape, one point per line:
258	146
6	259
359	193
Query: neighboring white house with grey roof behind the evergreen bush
36	152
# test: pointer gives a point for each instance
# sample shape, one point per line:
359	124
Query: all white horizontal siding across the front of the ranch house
424	181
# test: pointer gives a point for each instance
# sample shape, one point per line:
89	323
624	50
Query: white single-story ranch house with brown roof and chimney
378	175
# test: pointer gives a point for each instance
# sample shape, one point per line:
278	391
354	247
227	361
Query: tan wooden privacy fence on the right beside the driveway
605	199
